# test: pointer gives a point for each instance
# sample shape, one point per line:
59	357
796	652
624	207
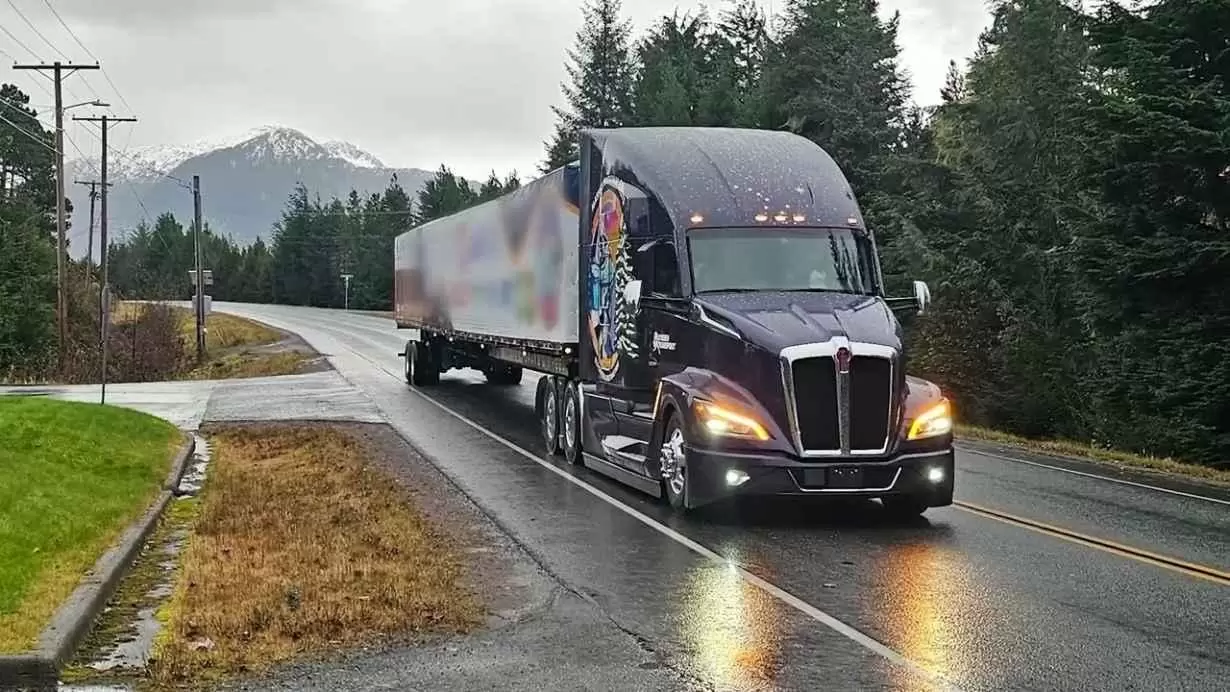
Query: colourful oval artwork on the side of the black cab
612	324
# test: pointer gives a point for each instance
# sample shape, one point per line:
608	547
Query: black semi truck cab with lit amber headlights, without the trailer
735	335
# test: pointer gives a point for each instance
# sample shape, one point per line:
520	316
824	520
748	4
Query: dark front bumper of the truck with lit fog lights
714	476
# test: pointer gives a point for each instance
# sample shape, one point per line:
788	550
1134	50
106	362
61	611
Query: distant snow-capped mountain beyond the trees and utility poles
245	179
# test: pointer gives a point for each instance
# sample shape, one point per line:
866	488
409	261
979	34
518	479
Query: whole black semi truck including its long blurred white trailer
709	313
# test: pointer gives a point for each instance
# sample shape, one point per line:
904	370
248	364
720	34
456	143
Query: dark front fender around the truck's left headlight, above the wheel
677	394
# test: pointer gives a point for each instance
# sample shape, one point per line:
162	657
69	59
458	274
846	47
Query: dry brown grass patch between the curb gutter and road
301	548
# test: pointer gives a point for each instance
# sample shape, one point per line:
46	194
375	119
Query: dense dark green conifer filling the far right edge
1156	260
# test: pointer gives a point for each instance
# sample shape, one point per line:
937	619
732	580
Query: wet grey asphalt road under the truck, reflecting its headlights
796	597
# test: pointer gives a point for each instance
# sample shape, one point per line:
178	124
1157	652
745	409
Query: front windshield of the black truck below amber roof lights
782	260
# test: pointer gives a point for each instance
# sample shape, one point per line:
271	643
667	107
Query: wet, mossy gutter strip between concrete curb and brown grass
124	639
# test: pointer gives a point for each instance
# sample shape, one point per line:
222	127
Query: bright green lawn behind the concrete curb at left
72	478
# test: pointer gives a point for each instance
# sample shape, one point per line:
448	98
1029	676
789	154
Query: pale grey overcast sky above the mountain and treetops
416	83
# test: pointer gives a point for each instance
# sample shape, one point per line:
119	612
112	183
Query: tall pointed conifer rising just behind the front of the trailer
600	76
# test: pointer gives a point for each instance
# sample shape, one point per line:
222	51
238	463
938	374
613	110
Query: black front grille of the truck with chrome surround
817	404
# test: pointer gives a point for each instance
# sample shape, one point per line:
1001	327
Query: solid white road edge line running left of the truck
777	592
